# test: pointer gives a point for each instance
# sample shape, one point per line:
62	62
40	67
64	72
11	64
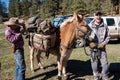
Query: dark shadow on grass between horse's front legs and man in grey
78	69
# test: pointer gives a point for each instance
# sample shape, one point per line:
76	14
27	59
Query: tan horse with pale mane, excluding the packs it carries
69	29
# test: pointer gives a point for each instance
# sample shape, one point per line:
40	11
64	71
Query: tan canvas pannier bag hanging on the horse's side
44	42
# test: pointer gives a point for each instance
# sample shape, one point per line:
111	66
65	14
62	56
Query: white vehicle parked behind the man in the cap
113	24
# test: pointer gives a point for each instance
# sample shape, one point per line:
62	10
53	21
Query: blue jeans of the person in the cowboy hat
20	64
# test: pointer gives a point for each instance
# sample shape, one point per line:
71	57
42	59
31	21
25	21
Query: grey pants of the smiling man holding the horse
96	57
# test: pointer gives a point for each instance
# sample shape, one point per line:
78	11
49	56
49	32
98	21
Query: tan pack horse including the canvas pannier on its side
59	41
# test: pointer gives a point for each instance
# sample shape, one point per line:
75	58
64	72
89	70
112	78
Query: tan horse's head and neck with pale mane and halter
72	28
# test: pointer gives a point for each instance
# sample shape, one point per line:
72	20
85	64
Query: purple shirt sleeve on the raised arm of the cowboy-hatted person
12	37
